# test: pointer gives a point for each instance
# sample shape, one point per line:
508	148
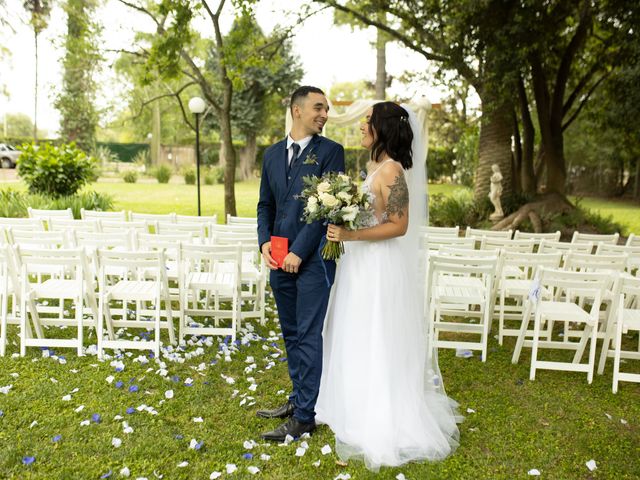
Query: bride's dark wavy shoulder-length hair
392	133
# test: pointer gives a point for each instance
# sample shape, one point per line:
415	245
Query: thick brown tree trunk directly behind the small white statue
495	147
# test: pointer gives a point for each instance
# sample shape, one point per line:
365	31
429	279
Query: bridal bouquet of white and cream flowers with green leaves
334	198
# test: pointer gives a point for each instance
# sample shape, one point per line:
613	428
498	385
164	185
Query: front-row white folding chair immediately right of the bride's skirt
460	299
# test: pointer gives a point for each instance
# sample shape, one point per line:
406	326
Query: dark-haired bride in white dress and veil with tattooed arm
383	400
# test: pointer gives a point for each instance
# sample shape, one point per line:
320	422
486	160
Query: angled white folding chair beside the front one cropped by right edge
562	299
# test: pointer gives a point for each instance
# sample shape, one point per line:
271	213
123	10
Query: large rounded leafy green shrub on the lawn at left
55	170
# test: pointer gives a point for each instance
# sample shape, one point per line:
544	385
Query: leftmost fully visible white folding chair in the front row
65	279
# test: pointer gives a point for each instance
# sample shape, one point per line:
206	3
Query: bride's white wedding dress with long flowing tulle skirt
384	403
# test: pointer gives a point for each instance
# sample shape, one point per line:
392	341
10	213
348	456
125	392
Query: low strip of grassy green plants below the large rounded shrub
15	203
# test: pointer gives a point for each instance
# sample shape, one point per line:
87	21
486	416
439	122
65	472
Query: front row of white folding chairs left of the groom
60	287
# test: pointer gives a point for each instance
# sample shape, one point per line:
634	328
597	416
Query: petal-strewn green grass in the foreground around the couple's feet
554	424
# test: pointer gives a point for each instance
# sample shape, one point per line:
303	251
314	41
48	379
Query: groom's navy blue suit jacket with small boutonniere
279	210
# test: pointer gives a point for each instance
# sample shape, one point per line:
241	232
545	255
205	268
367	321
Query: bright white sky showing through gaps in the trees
329	54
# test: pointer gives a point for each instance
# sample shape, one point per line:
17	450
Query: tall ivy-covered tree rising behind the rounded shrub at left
75	102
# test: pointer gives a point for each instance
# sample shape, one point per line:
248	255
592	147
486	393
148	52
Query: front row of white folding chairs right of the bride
468	288
